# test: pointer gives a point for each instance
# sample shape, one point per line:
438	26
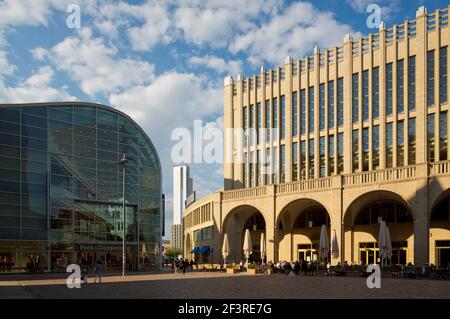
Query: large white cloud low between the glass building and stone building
173	100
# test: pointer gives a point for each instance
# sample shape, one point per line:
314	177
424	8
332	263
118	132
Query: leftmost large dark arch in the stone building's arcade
234	225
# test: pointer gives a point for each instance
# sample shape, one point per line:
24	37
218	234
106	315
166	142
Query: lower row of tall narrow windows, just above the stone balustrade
331	152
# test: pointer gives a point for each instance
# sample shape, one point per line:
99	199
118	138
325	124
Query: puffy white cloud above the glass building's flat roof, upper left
96	66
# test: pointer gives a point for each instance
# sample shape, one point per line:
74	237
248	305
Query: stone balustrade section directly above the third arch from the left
380	176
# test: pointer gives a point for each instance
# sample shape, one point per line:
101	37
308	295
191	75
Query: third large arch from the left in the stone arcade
360	227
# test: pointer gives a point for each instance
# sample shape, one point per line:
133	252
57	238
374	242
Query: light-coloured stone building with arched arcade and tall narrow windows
403	172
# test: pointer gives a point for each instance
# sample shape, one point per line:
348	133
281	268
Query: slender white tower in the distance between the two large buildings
182	189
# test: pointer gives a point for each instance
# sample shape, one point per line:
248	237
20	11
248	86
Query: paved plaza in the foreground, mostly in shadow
218	286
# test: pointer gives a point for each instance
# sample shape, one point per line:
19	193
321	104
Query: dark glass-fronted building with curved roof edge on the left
61	188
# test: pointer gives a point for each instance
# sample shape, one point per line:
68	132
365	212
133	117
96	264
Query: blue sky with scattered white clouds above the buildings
163	62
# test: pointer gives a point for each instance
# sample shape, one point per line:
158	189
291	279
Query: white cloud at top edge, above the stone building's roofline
294	32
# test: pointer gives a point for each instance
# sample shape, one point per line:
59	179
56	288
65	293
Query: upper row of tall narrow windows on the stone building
303	117
